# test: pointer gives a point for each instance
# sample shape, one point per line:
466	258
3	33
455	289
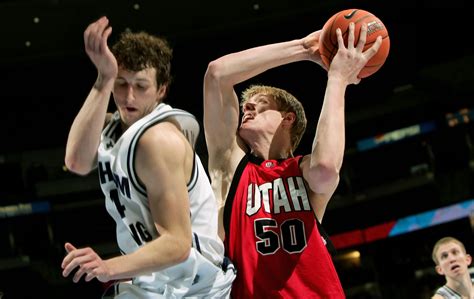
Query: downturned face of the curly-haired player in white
136	94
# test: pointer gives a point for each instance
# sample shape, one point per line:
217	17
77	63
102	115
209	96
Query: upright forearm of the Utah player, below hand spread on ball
329	141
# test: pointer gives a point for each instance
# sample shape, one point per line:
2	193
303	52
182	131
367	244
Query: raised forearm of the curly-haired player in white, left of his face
84	135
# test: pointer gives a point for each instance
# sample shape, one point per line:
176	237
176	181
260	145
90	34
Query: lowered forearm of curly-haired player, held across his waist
157	255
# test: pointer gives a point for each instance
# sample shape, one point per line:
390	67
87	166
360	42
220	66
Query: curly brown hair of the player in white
138	51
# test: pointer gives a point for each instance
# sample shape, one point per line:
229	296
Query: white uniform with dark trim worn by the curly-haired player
126	201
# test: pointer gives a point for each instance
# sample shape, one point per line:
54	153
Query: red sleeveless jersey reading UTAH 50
272	235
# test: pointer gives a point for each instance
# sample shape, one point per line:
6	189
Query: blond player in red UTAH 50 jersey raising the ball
271	201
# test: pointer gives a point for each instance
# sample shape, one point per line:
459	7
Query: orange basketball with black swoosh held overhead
328	39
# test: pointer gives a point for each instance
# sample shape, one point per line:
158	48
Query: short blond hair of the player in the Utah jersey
286	102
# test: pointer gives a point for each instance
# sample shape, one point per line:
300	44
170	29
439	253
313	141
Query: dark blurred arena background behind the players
407	178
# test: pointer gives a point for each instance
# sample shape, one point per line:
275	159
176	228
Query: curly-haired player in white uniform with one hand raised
155	186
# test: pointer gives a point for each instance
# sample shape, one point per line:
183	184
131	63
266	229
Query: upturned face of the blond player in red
260	113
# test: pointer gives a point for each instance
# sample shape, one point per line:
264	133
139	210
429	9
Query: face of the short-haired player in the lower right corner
452	260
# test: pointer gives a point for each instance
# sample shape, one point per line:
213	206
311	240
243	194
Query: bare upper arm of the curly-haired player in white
160	166
